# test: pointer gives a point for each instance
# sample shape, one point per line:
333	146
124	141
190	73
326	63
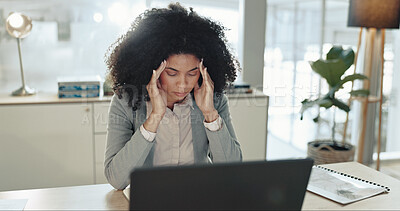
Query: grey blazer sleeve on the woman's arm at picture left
126	149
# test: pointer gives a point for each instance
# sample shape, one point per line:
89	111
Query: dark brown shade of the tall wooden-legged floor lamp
374	13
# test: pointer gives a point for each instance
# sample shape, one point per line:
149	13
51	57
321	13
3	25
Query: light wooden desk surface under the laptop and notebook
104	197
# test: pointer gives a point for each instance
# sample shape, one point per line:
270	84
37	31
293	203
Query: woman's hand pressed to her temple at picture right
204	95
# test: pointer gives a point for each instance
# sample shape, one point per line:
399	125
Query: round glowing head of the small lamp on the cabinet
18	25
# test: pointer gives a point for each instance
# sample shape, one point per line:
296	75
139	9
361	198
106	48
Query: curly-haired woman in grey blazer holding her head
169	71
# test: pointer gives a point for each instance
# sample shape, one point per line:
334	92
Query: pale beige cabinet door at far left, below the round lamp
47	145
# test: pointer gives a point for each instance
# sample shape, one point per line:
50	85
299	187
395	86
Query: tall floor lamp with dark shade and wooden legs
376	16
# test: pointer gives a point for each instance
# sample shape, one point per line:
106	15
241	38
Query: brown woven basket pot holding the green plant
325	151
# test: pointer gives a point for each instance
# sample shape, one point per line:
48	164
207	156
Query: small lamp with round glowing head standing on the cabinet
19	26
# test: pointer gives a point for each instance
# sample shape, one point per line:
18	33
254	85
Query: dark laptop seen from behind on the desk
271	185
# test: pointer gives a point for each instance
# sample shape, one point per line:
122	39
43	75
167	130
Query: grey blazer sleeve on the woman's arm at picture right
223	143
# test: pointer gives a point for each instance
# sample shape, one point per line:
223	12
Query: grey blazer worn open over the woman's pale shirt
127	148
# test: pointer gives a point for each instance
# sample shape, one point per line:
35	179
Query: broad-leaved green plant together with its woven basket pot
333	69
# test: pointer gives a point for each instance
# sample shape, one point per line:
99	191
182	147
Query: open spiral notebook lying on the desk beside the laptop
341	187
